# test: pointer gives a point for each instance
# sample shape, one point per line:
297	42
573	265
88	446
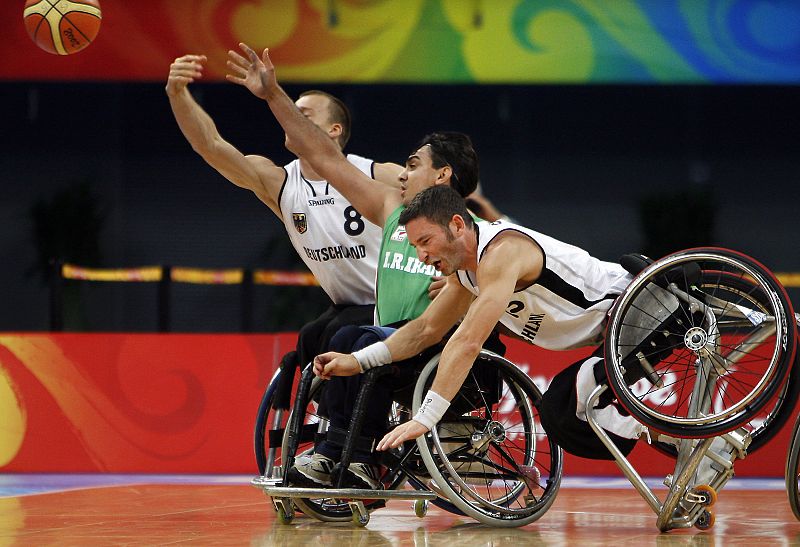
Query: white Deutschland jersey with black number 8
338	245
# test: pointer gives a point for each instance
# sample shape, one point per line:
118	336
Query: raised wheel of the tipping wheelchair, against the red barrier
700	342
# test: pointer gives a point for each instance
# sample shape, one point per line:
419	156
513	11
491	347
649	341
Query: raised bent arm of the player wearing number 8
256	173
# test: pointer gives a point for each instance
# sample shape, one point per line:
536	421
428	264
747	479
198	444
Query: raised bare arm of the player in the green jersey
373	201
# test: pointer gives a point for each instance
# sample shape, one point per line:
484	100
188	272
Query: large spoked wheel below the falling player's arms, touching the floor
489	455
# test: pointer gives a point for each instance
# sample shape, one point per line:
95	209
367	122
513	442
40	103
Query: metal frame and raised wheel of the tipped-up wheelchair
687	503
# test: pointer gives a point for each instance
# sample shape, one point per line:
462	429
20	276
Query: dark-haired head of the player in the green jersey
441	158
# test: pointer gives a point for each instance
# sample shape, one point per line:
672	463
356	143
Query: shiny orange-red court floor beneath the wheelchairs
239	514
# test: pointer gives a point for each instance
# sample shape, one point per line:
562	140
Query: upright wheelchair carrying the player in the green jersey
488	458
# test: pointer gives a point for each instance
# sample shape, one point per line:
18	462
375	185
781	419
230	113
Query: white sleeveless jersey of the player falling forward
566	307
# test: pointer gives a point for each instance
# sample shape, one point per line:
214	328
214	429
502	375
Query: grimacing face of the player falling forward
436	245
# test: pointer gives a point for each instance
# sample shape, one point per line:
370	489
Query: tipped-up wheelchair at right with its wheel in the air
700	347
